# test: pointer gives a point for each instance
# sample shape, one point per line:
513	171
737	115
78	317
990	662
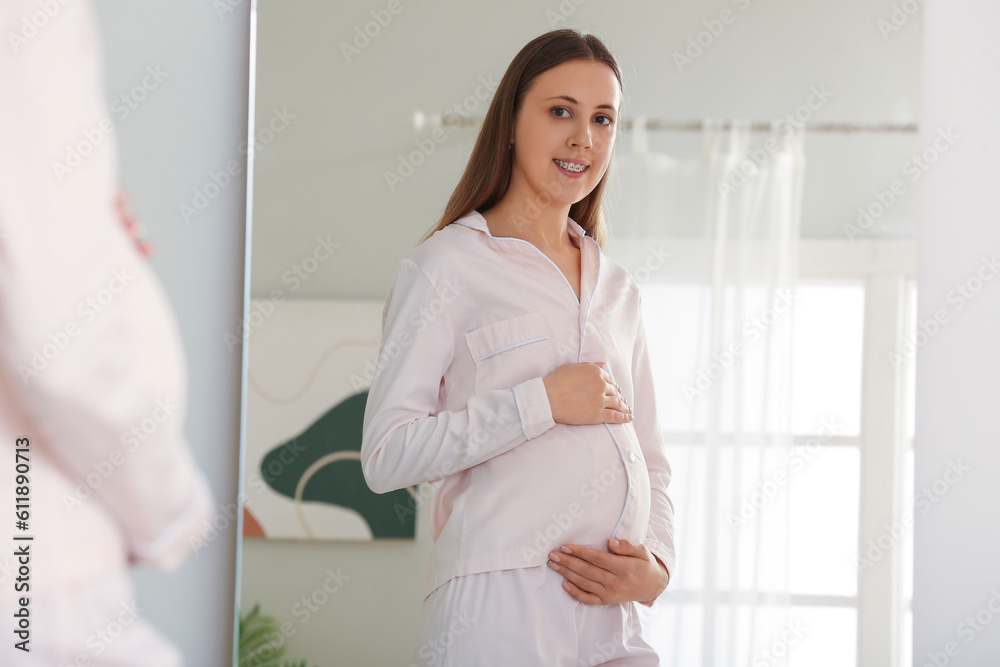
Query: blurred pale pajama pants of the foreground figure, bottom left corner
97	625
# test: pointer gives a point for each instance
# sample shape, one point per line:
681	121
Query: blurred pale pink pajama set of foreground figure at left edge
92	367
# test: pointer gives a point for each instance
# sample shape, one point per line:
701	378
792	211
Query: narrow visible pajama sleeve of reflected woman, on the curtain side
660	534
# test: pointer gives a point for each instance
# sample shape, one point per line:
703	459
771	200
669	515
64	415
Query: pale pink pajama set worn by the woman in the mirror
471	326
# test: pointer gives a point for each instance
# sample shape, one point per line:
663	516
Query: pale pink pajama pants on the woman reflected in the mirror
525	617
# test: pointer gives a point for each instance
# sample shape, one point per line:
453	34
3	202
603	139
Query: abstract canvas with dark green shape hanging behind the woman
310	365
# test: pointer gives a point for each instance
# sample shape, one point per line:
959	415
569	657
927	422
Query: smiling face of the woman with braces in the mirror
569	114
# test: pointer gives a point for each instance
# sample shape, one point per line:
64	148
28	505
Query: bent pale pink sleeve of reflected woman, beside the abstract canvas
405	439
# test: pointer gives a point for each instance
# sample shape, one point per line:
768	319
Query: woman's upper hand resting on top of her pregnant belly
585	393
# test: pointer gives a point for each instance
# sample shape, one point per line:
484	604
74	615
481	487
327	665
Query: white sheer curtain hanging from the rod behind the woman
728	221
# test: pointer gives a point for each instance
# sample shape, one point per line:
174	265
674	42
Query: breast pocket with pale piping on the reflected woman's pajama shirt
510	351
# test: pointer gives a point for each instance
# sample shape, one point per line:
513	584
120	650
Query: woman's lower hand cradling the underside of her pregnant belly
628	572
